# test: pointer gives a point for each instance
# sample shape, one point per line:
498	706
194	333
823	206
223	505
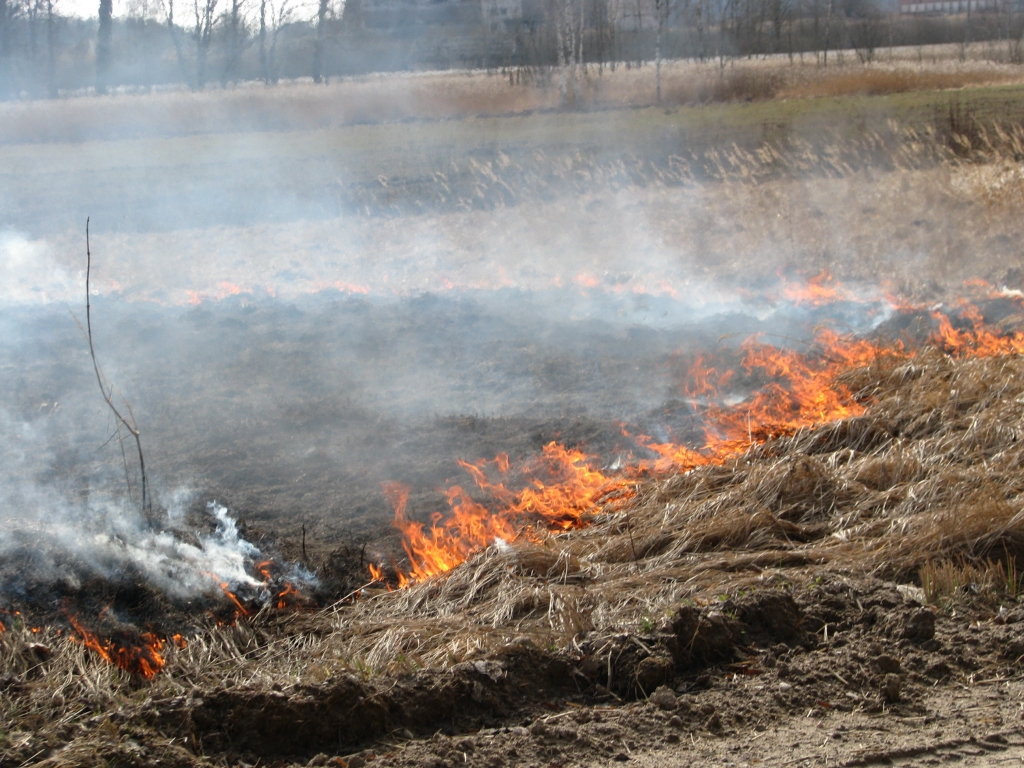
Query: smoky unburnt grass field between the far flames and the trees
190	192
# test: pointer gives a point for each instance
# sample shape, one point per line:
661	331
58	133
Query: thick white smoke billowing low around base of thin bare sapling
49	537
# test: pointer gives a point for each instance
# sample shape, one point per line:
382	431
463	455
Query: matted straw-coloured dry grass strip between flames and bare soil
925	485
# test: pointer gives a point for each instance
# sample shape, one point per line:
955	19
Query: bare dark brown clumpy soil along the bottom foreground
832	672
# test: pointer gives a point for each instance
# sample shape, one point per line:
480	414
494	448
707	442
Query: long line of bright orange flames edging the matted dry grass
792	391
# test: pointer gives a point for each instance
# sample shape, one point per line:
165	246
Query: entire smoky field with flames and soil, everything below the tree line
659	541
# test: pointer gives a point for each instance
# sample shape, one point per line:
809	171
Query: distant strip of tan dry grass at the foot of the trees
446	96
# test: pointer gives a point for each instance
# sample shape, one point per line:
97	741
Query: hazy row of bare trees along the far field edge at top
202	42
